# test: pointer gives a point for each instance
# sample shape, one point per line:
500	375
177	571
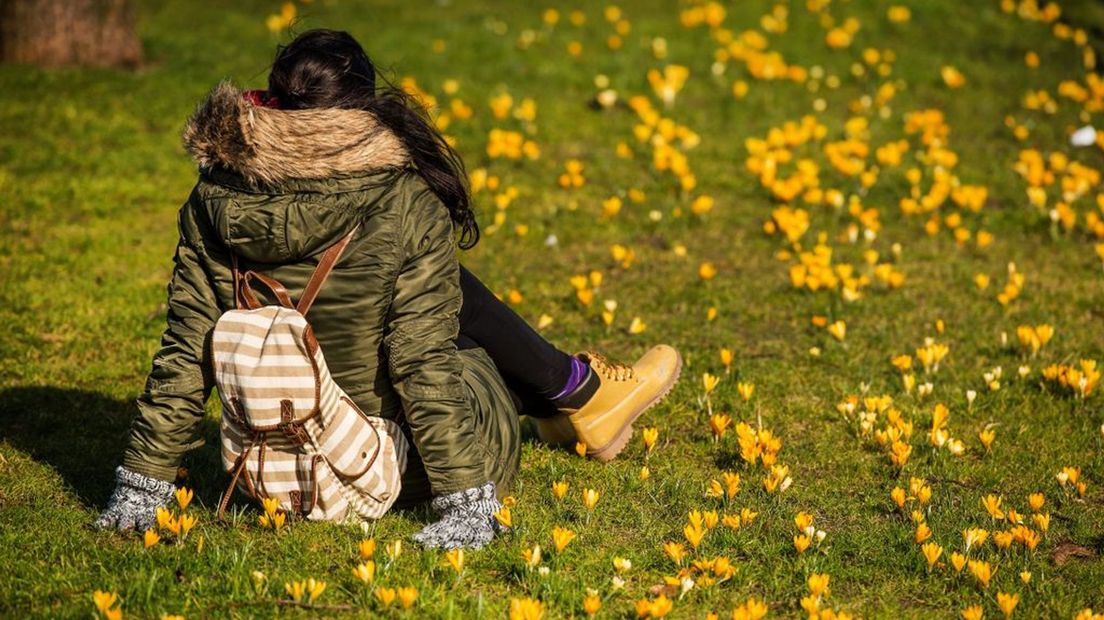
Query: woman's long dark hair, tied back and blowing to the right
328	69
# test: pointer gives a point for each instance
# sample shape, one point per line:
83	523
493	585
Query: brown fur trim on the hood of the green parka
267	145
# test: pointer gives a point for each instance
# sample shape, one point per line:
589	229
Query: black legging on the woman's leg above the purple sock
535	370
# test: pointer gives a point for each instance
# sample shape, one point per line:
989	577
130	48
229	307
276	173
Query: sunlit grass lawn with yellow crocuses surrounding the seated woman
92	174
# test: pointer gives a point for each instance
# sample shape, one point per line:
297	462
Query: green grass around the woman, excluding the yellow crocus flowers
92	173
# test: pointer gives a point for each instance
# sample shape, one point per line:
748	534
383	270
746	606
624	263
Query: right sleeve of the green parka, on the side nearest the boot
421	345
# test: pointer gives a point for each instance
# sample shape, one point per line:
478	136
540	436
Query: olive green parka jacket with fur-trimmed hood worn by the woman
278	188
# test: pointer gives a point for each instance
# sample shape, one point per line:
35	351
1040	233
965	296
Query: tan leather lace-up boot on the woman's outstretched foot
606	422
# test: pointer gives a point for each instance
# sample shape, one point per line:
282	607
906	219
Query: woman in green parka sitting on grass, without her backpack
408	333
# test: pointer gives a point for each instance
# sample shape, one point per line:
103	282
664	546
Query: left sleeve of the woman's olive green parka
172	408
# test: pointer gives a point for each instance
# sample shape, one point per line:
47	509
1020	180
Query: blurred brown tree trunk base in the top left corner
69	33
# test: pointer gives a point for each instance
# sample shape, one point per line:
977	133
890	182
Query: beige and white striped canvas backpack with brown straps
289	432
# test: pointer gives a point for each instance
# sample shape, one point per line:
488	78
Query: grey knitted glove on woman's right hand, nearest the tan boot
468	519
